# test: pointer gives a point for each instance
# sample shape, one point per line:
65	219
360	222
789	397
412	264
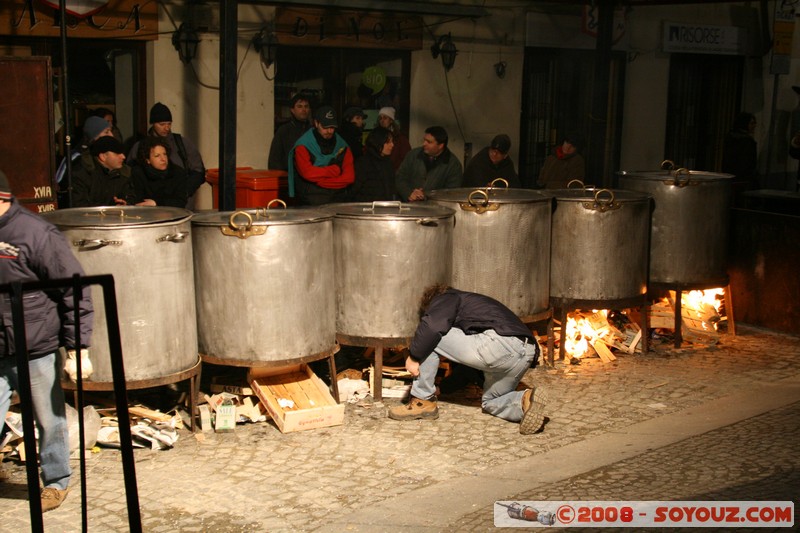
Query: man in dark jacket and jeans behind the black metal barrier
33	249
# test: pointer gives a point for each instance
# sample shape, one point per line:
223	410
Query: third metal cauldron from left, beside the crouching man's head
386	254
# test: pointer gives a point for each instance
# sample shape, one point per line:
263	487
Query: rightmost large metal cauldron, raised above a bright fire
689	227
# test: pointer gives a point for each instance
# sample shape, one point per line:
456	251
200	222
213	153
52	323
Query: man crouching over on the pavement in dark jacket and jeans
479	332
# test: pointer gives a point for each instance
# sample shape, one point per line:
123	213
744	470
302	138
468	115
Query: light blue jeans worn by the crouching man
503	361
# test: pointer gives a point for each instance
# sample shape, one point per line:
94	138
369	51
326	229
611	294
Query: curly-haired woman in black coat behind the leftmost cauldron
157	179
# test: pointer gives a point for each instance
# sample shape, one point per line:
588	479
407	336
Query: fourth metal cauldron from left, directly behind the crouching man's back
501	245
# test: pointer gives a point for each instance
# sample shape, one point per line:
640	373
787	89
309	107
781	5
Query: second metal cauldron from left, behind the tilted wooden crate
265	289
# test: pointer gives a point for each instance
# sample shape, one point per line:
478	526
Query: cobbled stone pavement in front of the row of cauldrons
716	422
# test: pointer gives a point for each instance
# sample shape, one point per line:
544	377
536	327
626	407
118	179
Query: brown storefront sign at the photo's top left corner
106	19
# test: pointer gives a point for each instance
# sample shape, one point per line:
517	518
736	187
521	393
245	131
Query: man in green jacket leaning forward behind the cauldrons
429	167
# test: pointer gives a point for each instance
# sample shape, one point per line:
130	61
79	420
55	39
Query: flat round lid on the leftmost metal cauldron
121	216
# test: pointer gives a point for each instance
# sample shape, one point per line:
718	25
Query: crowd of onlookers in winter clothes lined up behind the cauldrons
326	160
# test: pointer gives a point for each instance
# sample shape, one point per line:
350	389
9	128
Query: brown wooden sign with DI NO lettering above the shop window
349	29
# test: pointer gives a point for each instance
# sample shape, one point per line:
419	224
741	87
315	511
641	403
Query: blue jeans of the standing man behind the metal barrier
49	411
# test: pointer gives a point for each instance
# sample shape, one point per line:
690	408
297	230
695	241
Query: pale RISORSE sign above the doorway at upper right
703	39
